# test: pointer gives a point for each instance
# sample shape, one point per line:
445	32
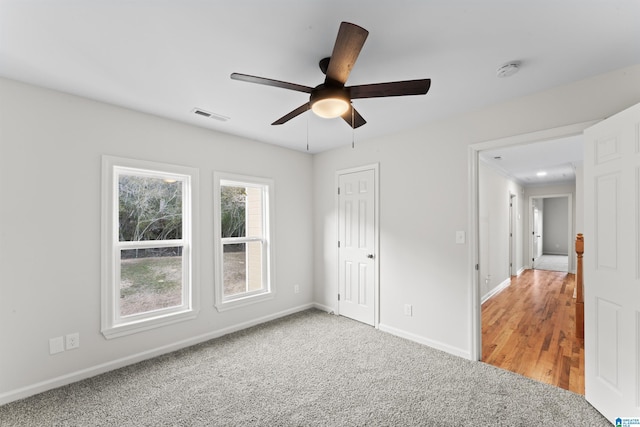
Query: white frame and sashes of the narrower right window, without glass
267	292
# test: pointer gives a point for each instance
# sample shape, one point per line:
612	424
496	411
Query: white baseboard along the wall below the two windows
92	371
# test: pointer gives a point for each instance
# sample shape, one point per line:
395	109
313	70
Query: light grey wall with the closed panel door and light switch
424	199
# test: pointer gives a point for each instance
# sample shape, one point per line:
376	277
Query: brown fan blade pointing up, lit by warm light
348	44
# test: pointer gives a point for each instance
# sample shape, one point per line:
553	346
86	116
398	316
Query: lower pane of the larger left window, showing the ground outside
150	279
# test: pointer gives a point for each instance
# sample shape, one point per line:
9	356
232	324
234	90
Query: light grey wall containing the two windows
50	153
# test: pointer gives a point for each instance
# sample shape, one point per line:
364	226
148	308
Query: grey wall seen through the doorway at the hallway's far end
556	226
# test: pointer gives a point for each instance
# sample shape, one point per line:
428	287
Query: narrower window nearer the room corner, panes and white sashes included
242	239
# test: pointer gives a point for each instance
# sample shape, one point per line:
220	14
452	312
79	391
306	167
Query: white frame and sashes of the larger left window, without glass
112	324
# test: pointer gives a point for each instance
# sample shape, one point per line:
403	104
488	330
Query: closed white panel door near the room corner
356	246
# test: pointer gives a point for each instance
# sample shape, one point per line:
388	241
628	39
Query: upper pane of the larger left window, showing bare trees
149	208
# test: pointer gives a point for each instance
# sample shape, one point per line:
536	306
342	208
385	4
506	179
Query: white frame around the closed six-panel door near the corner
376	232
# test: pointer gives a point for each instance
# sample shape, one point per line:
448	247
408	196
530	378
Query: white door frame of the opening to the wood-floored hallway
474	215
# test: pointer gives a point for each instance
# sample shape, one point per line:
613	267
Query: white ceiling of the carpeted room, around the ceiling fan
167	57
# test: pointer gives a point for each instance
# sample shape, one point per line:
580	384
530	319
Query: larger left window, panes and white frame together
148	229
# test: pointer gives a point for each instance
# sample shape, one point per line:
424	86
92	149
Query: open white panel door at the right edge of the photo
611	267
